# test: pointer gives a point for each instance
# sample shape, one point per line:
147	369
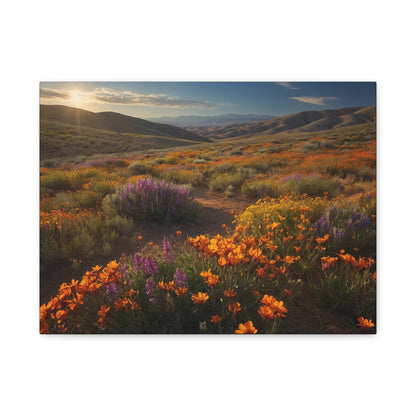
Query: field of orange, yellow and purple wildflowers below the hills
307	237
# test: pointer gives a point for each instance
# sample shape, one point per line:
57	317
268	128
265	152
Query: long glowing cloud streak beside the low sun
112	96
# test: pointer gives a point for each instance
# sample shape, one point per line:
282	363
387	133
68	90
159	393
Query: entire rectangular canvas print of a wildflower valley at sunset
207	208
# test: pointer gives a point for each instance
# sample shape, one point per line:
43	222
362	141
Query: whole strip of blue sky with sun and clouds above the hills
161	99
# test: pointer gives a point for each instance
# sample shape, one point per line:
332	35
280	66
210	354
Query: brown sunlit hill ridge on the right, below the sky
306	121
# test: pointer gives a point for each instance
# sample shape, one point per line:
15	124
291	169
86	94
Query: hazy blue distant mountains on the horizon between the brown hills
197	121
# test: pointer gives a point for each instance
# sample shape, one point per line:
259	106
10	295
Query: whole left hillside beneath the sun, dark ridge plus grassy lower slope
70	133
